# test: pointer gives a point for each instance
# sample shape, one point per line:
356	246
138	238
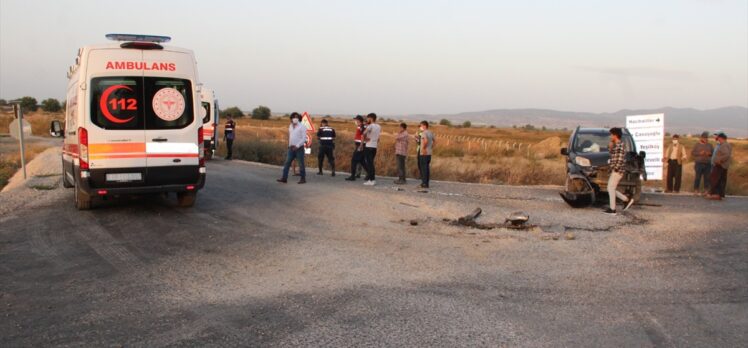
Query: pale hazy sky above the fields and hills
396	57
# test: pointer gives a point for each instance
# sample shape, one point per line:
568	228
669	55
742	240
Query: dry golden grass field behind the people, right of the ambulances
513	156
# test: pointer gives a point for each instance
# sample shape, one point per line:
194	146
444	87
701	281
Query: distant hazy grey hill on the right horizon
733	120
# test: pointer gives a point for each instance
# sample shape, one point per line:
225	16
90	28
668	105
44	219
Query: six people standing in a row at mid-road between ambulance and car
365	142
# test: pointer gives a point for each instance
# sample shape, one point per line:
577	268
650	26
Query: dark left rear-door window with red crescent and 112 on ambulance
116	102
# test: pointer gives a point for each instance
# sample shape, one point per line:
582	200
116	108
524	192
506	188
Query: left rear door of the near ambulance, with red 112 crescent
115	122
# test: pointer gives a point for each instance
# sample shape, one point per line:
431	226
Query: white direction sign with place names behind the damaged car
648	132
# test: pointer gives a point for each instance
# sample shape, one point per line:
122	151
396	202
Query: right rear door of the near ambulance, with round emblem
171	125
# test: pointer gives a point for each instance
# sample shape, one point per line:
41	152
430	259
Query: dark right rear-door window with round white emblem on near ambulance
168	103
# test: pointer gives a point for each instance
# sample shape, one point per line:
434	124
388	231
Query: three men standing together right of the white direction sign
710	165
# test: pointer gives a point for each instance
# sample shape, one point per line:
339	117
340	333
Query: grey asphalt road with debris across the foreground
333	263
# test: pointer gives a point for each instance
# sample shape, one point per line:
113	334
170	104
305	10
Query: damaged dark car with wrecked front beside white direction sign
587	167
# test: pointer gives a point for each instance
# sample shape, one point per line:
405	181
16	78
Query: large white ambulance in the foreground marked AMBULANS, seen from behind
132	121
